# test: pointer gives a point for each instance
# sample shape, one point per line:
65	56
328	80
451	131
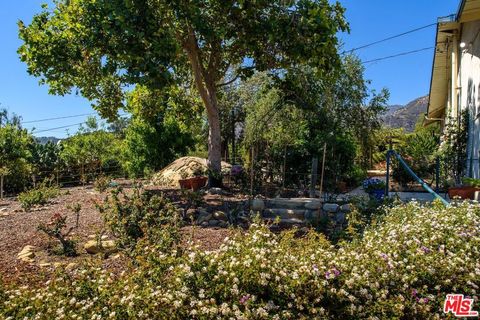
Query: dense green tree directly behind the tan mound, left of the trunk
159	130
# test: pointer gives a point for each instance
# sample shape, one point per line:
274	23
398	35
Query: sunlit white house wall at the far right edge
469	78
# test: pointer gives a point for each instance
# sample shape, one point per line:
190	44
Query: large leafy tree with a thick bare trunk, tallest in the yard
100	48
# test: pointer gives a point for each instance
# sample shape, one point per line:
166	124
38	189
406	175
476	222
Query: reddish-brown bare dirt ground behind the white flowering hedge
19	229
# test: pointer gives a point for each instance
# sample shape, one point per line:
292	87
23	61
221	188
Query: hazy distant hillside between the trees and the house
406	116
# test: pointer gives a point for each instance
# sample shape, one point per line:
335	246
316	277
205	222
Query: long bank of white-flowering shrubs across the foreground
401	268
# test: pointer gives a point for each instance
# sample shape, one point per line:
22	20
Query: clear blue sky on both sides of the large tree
406	77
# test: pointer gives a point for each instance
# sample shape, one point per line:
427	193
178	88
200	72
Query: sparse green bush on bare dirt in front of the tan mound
140	216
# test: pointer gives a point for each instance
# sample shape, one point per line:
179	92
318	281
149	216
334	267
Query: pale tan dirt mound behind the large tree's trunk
182	168
